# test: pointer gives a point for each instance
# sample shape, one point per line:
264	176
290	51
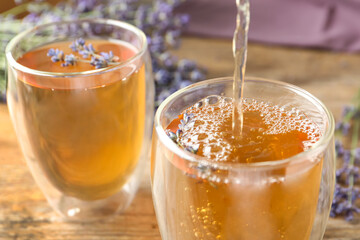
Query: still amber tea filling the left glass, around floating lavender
86	139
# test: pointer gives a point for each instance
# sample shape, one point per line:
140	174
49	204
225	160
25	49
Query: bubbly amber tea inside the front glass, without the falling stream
207	208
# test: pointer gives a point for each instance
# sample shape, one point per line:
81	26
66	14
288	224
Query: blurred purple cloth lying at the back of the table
331	24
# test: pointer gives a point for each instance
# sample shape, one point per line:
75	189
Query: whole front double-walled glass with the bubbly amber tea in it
273	181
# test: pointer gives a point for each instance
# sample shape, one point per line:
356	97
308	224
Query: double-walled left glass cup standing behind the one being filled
85	135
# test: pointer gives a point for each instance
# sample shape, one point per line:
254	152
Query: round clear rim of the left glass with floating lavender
111	22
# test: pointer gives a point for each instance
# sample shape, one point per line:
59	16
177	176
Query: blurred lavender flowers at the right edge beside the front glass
347	194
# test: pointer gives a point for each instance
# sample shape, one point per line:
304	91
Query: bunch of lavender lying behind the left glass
162	26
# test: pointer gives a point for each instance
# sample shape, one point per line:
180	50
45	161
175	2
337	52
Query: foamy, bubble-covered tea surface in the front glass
269	131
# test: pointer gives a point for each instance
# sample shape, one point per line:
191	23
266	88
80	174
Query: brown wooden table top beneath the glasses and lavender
25	214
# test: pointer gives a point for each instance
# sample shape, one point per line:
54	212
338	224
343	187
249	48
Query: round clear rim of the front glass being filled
298	158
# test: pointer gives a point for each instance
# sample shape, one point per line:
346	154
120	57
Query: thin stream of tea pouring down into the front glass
240	53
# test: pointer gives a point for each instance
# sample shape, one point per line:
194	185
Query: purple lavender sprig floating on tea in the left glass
98	60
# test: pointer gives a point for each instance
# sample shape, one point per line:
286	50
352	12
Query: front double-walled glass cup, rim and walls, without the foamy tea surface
283	199
